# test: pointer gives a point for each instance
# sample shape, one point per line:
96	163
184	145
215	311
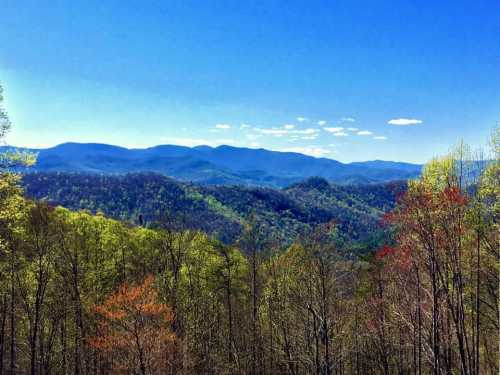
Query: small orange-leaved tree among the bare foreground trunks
135	331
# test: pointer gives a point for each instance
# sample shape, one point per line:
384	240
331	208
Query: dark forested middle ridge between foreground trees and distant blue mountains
148	199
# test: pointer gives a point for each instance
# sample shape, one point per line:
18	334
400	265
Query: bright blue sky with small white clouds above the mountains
320	77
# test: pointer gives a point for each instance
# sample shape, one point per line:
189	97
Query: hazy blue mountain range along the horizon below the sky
219	165
